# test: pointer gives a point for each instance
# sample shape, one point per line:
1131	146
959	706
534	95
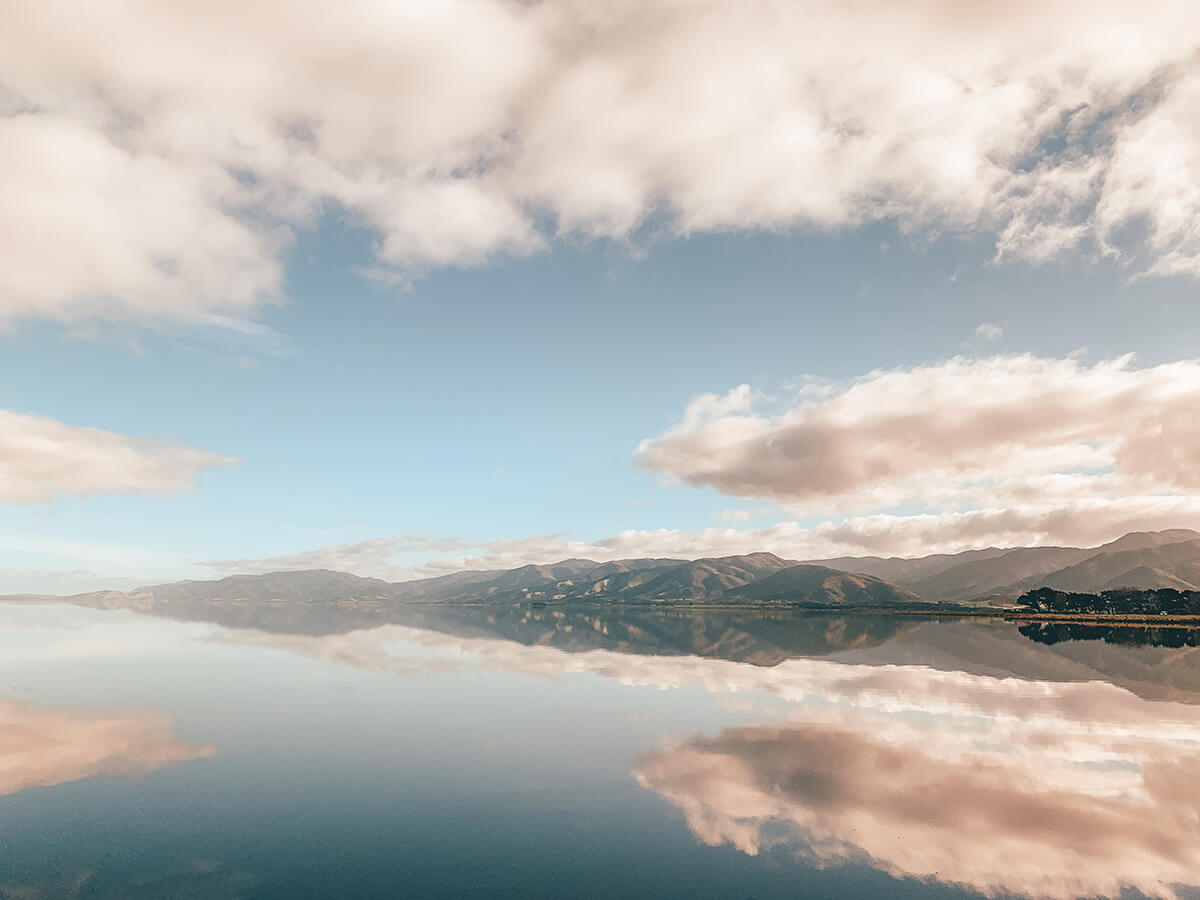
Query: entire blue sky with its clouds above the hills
403	289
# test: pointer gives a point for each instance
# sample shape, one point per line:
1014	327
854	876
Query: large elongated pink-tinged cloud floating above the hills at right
1003	433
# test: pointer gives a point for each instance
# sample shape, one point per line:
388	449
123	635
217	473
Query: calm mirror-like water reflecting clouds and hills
304	753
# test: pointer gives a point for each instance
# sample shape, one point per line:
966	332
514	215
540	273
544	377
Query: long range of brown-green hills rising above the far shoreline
1142	560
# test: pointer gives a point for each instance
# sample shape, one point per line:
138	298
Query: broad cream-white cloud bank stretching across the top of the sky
155	164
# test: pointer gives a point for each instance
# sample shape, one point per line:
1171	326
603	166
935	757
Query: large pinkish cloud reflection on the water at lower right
998	784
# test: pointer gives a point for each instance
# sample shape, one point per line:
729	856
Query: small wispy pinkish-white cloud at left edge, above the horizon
41	458
